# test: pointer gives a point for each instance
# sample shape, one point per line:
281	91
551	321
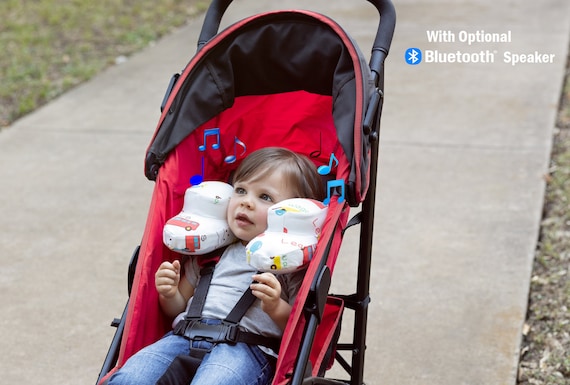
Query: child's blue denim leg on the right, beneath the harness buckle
238	364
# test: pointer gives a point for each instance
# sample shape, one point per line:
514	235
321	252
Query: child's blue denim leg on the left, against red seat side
150	363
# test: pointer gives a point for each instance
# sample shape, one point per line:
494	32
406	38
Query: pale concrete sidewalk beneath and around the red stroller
464	150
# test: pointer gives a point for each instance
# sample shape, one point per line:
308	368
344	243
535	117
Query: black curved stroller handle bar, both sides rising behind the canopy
380	48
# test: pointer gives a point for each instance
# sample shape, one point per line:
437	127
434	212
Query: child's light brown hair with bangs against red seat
297	169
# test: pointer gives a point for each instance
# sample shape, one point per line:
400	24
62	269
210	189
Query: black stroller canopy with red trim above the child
271	53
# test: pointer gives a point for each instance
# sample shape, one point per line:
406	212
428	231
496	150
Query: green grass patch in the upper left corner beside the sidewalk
49	46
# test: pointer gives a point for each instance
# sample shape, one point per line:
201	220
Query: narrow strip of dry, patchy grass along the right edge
545	354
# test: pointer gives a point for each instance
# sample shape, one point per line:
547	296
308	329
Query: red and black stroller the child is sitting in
294	79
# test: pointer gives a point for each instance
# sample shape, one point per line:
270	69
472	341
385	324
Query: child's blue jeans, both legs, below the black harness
225	364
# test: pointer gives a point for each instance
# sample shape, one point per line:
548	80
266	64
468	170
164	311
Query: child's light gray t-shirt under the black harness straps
232	276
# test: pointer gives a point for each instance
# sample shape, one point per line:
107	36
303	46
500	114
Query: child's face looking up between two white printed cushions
247	210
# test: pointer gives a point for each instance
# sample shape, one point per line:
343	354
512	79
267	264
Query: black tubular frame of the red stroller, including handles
314	307
